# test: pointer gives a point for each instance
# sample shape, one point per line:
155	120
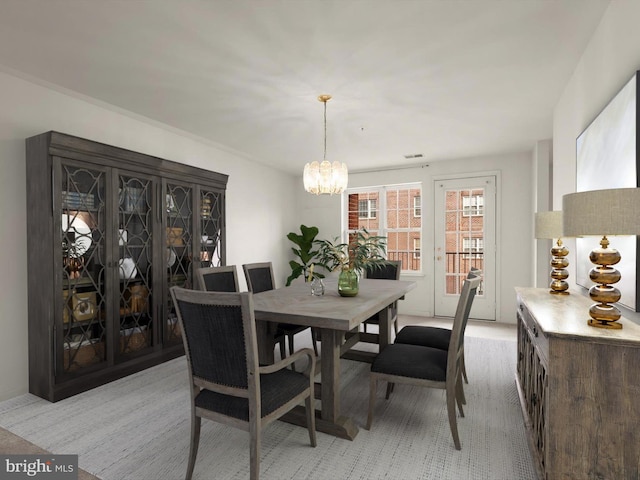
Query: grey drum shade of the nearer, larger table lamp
602	212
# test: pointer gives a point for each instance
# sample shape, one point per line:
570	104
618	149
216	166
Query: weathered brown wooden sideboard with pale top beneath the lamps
579	388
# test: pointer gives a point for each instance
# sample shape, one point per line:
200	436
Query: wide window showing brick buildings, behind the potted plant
392	211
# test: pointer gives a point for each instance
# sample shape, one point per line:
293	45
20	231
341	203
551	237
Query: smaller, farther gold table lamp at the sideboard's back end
549	225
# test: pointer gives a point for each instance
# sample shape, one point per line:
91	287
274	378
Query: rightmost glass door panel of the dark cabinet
211	208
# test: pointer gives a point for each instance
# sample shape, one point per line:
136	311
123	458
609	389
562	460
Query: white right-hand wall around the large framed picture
609	61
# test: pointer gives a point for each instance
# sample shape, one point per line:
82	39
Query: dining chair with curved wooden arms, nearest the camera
227	384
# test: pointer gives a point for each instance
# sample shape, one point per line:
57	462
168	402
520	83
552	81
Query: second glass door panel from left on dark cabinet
135	264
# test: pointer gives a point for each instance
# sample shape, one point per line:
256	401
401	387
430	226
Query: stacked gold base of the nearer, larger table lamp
604	314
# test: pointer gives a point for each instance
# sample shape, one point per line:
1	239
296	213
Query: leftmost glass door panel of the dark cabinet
82	307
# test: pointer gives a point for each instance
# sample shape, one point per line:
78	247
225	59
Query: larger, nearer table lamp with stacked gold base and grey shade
603	212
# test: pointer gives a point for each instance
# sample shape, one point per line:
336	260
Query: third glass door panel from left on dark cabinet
178	221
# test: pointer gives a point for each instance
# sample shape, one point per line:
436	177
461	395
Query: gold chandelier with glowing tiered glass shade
325	177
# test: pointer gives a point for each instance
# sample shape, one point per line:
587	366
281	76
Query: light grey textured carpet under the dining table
137	428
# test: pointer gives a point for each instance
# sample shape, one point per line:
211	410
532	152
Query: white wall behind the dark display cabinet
260	205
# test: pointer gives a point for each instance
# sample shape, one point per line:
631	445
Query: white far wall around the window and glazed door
514	224
